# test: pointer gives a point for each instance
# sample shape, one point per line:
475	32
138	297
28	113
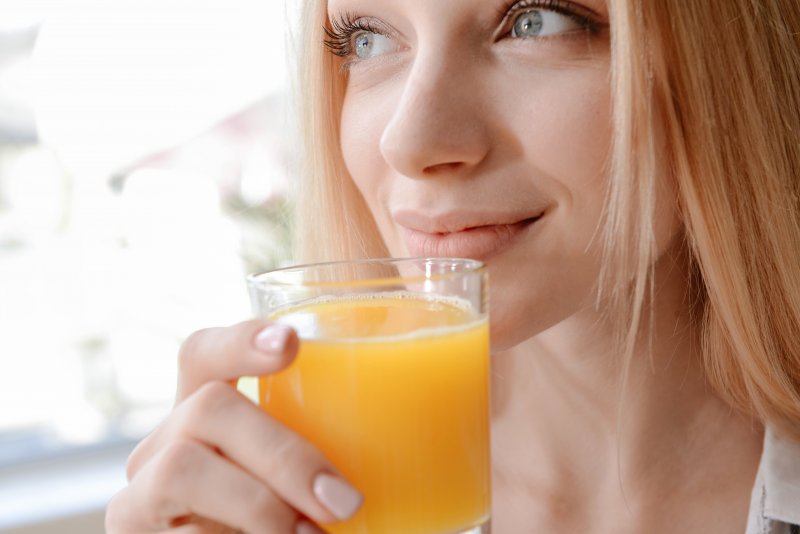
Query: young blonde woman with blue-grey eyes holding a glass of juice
629	170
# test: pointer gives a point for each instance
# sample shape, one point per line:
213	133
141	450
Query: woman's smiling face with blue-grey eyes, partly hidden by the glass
481	128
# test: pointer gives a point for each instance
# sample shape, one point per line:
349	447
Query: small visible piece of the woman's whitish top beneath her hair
775	503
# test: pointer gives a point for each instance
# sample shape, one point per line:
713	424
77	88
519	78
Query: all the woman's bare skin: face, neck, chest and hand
466	139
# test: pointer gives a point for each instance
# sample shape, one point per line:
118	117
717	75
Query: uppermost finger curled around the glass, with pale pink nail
250	348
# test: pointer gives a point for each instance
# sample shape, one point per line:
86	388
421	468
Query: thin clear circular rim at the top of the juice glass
470	267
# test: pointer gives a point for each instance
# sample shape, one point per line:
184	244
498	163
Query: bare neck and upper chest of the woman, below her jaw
667	455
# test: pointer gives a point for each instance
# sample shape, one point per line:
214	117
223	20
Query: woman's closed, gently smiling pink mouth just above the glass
476	242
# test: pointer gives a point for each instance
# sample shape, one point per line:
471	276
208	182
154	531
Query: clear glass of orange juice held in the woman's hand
391	383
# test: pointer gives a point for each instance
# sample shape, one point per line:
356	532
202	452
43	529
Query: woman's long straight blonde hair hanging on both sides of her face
705	91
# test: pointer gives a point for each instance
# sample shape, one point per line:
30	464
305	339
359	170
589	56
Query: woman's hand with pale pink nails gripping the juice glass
218	463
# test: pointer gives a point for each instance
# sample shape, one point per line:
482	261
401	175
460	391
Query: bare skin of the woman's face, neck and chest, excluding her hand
430	133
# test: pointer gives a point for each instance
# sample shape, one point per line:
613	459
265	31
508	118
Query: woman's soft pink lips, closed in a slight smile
477	241
